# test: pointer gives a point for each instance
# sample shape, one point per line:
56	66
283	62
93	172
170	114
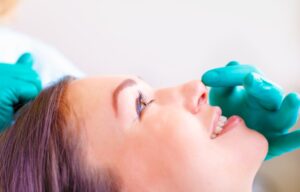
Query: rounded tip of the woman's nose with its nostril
195	95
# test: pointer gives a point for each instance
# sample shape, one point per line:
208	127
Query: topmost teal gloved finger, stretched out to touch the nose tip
231	75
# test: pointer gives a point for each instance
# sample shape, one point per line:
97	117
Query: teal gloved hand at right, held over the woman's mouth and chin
241	90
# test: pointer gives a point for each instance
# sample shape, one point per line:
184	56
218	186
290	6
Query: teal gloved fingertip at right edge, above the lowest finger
288	113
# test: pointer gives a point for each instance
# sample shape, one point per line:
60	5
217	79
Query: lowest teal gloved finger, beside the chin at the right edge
283	144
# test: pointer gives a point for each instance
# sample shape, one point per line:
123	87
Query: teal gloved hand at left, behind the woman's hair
19	83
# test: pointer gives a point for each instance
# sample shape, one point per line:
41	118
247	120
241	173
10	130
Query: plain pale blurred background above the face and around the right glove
168	42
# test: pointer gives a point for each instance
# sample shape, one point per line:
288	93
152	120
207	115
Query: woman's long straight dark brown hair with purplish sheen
39	153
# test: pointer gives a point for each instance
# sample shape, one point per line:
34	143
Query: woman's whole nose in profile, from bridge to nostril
191	95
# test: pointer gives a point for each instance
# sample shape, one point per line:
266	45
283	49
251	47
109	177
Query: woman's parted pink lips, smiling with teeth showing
221	124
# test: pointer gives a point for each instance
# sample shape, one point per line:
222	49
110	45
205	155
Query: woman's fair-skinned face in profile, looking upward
160	139
